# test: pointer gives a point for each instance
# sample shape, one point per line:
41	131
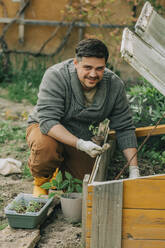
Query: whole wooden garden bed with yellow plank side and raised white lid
130	213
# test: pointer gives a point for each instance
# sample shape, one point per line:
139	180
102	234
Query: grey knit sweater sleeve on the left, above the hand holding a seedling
51	98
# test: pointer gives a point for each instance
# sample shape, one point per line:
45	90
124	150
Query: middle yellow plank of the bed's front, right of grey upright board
143	224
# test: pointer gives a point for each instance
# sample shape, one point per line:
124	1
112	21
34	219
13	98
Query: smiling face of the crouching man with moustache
90	71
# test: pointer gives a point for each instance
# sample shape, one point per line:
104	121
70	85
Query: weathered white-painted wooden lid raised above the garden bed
145	50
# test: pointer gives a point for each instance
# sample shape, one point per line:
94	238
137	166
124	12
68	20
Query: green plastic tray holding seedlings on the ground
29	219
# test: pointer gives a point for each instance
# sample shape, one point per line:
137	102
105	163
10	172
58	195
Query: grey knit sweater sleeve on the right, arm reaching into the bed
121	121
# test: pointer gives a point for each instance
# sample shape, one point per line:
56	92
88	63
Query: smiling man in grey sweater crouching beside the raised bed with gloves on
73	95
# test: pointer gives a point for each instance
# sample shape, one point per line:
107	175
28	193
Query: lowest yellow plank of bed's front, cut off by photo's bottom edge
126	243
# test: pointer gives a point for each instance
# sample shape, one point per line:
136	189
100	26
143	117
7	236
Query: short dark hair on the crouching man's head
92	48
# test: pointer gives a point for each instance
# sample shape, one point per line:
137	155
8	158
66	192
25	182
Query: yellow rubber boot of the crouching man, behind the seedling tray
37	190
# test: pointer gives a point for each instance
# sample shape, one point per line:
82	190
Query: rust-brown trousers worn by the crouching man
47	154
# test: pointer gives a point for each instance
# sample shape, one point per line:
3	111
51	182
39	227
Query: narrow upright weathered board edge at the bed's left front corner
84	208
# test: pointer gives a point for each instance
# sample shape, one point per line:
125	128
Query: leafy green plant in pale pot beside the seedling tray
70	192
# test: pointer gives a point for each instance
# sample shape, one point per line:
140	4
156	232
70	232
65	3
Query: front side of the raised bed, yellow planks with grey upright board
126	213
